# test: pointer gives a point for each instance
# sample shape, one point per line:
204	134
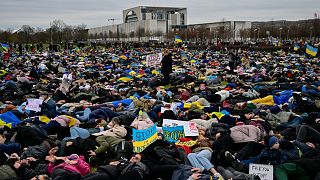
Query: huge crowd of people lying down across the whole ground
248	107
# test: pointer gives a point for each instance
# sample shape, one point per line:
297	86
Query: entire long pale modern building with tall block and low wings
145	23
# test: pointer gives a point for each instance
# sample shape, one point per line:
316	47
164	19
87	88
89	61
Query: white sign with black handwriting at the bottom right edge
265	172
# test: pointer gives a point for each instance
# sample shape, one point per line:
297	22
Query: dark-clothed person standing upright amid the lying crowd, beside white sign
166	66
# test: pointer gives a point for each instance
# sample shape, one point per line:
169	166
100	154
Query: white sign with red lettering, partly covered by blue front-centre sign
190	128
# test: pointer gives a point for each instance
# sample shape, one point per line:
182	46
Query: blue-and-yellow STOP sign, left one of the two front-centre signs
143	138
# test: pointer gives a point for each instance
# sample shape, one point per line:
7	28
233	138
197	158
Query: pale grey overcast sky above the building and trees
94	13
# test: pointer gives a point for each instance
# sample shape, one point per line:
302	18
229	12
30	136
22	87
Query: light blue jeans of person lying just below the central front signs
201	159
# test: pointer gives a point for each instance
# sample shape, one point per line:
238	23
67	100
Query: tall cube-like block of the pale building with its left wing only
142	23
